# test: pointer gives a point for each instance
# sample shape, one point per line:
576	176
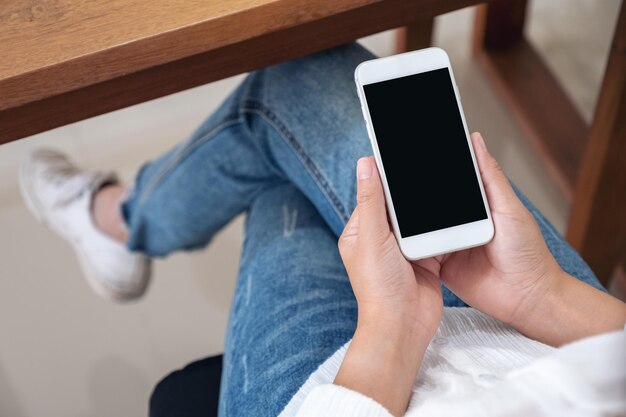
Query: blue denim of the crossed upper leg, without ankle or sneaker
300	121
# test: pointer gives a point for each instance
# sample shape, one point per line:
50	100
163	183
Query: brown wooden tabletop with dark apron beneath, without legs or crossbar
66	60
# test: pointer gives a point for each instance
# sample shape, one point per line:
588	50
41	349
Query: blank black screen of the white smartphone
424	151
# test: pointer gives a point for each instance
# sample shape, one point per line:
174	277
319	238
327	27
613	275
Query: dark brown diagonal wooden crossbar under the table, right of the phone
533	96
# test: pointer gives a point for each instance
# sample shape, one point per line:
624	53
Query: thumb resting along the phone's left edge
373	225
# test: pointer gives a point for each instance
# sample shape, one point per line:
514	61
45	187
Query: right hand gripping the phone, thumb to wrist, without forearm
508	276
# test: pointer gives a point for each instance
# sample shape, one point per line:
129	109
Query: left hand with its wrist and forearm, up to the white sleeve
400	303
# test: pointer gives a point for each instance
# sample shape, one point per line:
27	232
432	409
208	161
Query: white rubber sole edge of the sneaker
97	285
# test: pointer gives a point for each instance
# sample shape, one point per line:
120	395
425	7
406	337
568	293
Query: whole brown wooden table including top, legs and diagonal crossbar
66	60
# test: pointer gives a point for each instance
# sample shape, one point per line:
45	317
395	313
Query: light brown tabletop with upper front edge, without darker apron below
53	46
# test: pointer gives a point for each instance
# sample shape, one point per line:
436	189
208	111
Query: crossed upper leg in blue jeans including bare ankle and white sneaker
299	121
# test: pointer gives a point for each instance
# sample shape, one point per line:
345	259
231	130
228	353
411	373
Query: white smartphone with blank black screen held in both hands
434	193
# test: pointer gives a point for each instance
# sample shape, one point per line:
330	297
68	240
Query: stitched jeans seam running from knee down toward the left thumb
251	106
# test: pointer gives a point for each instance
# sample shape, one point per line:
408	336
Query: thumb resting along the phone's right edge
500	194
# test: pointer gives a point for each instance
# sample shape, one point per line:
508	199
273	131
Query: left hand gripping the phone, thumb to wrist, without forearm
385	283
